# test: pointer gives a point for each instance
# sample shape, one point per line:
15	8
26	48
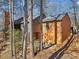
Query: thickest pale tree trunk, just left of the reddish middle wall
30	19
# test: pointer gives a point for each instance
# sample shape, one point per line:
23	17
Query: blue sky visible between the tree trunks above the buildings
50	7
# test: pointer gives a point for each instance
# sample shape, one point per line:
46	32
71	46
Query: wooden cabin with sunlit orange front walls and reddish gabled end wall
55	31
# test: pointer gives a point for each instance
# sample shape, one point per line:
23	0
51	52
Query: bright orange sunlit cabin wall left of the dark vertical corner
49	35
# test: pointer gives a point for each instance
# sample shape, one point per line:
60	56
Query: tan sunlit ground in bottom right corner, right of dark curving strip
73	51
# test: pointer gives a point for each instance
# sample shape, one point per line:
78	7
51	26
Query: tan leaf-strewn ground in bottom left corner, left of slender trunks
5	50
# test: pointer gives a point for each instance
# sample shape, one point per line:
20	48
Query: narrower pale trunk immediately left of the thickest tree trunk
25	35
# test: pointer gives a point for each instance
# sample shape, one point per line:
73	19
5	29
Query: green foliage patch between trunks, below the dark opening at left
18	39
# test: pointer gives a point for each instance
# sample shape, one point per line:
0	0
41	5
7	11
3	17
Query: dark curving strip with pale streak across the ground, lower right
58	54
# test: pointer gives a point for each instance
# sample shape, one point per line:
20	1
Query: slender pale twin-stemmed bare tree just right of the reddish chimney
13	46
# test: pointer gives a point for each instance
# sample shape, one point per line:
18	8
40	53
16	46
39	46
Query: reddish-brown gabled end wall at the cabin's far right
66	25
